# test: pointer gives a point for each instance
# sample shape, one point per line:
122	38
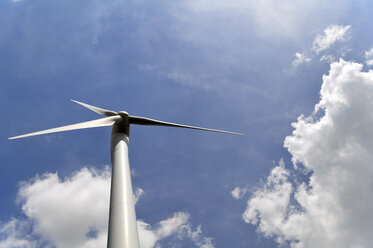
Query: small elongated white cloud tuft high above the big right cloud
332	34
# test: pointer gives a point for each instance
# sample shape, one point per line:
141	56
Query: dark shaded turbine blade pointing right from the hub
150	122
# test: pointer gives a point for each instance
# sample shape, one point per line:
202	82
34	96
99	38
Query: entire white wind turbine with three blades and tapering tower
122	231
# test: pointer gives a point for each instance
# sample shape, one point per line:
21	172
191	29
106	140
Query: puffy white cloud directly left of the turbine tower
65	211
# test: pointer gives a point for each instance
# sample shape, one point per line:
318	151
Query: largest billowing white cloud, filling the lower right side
334	208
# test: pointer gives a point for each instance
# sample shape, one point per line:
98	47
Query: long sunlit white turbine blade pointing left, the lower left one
107	121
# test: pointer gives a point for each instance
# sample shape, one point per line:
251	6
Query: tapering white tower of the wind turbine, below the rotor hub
122	218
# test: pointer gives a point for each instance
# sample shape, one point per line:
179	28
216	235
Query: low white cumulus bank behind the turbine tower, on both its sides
73	212
